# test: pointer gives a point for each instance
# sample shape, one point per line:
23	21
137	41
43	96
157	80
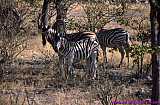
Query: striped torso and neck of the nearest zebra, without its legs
80	49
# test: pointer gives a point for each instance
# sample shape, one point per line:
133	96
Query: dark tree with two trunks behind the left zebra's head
61	7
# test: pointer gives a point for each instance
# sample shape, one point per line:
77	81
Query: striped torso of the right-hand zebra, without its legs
113	37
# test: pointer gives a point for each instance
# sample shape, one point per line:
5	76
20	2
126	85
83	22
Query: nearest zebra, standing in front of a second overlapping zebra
71	52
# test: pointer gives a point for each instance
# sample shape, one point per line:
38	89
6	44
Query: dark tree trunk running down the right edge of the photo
154	17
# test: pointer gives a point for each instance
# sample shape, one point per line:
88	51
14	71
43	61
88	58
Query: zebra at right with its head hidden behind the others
114	38
